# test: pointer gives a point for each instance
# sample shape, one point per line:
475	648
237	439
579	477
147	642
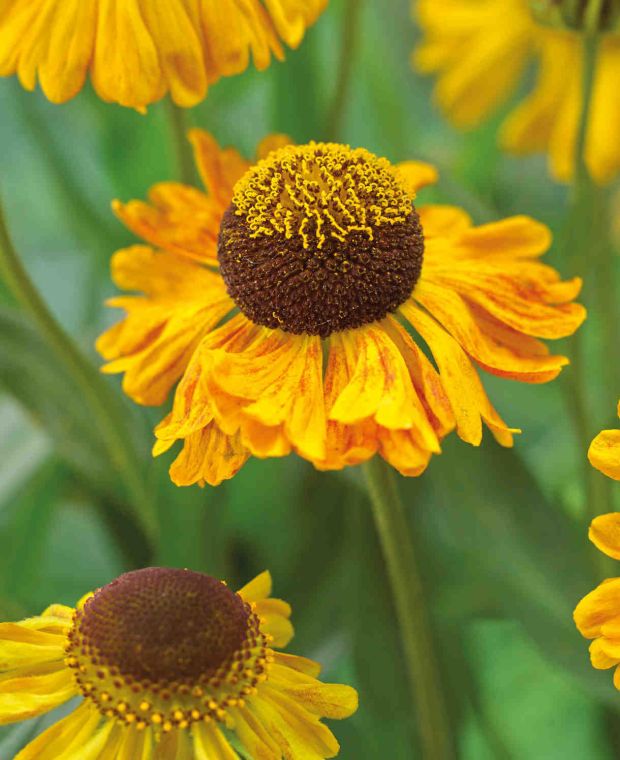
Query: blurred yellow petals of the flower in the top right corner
479	50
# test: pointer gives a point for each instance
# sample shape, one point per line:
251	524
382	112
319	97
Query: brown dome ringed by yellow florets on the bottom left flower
166	647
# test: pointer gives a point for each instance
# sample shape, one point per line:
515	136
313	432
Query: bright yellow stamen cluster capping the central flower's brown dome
320	191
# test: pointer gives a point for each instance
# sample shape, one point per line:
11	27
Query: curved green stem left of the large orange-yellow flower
95	392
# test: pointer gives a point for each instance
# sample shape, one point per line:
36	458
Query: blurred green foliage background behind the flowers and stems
501	534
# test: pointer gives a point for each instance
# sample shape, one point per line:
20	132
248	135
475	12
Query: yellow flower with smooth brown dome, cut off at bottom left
171	664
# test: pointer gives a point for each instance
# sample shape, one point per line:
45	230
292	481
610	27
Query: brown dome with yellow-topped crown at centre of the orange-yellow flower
320	238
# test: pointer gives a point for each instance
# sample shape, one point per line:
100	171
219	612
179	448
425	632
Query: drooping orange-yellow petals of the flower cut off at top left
138	50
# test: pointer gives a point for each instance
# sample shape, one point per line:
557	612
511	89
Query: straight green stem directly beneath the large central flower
413	617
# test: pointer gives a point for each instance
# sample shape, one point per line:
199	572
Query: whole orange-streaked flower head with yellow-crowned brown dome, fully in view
325	262
